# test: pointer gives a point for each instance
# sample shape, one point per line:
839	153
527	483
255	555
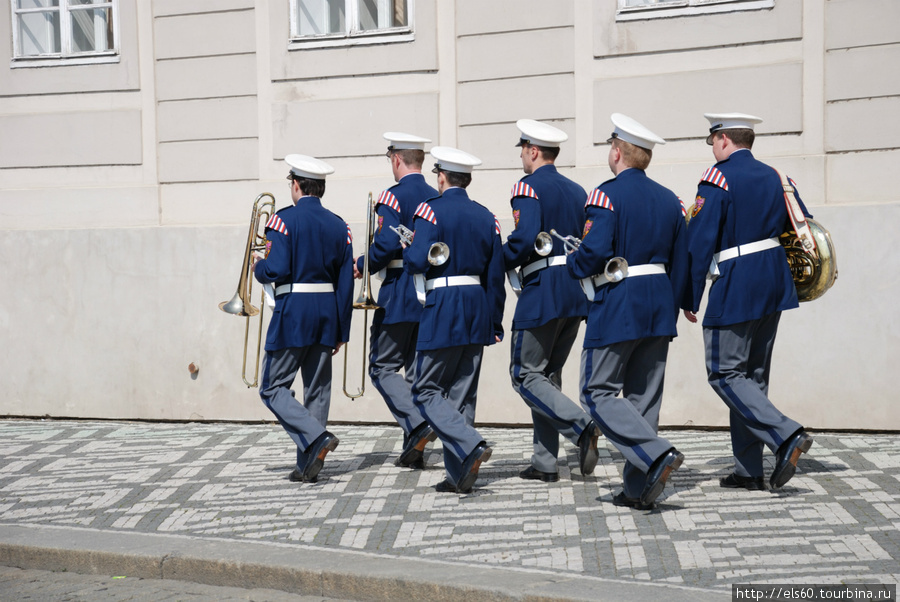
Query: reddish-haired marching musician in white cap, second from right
633	313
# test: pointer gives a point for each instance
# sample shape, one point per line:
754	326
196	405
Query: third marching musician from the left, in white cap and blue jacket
463	312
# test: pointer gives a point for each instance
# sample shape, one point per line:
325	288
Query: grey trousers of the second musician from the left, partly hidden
393	348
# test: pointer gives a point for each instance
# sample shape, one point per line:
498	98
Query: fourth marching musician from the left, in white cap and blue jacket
551	305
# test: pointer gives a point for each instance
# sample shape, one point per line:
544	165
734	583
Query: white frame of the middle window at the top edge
353	36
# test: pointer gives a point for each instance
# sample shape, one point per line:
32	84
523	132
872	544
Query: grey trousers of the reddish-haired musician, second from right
637	370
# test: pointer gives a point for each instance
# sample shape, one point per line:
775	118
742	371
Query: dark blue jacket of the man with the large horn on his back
739	201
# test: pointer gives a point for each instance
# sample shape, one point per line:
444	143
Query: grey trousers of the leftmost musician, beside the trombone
304	422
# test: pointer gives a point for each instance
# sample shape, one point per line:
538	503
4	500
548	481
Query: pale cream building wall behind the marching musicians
125	189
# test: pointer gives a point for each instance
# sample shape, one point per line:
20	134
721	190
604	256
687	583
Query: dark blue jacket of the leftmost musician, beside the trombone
308	244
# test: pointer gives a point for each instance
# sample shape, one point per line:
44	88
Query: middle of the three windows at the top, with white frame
341	22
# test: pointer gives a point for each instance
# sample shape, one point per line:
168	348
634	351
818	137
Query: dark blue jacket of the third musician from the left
459	315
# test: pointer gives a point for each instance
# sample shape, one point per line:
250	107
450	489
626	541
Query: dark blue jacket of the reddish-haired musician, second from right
632	216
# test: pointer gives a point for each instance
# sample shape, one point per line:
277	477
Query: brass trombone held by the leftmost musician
239	305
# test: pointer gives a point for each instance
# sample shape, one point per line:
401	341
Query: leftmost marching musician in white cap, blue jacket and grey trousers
309	263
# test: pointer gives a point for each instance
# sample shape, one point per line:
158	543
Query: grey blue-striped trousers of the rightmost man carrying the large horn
738	360
